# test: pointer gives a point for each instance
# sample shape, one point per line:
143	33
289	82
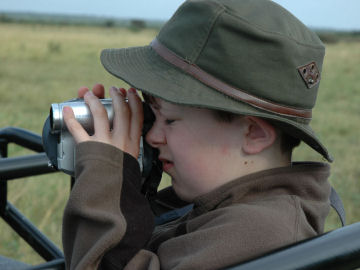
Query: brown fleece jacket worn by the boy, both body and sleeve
108	224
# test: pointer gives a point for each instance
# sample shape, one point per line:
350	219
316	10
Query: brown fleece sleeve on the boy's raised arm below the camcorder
107	221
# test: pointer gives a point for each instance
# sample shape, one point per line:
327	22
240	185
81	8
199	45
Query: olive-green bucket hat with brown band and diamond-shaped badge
249	57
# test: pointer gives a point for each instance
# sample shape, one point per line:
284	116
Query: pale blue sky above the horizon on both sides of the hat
332	14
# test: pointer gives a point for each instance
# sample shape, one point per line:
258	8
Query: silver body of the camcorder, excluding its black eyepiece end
56	132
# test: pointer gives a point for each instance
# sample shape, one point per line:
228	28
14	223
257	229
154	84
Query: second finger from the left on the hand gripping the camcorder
101	120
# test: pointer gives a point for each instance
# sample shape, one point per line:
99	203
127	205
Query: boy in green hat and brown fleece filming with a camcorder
232	85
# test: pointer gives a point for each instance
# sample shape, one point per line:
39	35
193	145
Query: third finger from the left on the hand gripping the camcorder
121	121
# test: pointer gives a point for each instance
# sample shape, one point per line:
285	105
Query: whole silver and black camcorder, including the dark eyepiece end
59	144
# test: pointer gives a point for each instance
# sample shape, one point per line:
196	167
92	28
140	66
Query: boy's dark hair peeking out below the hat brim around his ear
287	143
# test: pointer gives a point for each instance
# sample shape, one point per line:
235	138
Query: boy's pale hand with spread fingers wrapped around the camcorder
127	123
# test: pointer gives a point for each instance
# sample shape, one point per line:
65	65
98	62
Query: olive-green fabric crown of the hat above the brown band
253	45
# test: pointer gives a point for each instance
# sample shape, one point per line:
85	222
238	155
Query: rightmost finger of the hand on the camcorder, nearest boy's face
137	115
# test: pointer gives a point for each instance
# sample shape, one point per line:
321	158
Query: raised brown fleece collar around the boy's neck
305	179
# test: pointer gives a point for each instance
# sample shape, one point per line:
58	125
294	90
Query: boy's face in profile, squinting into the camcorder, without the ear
197	151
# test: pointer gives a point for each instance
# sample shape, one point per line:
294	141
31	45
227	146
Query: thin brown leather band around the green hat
224	88
